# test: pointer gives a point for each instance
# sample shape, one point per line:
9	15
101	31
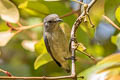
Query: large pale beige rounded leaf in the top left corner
8	11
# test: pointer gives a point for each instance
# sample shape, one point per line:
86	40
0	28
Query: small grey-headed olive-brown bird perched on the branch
56	41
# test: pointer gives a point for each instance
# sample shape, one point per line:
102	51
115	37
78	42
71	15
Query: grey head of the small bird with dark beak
51	21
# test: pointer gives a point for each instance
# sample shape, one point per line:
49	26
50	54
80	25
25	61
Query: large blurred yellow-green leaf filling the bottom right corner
108	67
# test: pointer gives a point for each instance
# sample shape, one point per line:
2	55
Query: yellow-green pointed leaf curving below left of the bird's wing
41	60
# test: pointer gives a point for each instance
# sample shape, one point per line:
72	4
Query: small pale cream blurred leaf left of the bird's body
29	45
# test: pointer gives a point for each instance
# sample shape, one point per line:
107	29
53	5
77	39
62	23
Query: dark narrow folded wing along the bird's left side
48	49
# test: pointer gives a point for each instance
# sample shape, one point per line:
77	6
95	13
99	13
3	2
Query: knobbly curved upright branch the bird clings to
73	32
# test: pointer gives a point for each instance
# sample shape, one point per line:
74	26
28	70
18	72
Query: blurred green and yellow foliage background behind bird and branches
25	54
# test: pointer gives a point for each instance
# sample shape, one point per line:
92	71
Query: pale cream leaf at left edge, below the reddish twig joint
5	37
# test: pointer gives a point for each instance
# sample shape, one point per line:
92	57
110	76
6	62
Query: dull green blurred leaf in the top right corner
110	7
